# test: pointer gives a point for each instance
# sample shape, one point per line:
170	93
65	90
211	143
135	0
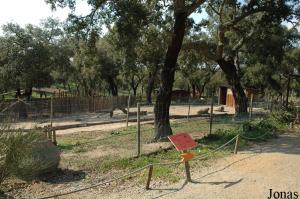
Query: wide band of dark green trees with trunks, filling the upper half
123	46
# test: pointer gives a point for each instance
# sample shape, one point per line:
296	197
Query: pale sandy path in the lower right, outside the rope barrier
250	174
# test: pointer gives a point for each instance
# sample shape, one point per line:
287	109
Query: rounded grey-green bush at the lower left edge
26	154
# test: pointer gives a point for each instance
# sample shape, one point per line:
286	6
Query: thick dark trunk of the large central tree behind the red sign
163	100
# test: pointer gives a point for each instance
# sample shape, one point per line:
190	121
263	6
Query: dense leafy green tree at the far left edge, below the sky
28	56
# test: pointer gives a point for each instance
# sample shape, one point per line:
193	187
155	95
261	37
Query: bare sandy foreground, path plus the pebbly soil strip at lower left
249	174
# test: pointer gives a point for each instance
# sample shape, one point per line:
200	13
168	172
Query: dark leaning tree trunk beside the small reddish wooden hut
233	80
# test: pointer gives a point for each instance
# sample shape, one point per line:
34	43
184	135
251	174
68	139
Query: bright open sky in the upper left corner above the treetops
32	11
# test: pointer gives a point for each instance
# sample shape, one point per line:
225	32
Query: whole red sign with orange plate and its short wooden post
182	143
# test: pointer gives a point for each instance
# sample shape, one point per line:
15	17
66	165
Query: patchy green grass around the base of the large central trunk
224	129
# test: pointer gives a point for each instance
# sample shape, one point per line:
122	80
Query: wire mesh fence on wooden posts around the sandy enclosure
116	119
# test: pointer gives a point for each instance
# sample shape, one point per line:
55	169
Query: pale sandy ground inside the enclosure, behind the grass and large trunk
90	118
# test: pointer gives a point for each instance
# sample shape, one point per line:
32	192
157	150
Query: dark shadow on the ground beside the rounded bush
62	176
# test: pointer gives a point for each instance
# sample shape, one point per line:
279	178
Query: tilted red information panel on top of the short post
182	141
